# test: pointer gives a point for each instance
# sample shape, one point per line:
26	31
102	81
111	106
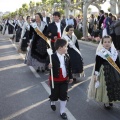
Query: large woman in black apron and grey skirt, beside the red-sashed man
37	54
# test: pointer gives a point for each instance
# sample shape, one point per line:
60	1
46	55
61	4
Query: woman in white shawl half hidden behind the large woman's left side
23	44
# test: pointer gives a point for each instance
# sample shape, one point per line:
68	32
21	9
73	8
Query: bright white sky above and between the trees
12	5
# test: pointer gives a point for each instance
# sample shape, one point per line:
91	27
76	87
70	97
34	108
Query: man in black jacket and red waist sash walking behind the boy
55	29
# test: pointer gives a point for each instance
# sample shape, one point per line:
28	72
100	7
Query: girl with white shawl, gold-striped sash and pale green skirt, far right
105	83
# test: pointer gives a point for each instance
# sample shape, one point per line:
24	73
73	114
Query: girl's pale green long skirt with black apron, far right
109	88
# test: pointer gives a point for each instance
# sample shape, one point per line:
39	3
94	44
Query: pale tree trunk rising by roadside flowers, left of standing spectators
85	30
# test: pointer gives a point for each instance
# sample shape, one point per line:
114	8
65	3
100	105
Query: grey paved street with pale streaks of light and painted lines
24	93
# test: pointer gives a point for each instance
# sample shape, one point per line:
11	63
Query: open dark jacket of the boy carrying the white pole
56	66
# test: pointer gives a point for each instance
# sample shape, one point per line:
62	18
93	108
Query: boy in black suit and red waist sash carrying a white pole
62	75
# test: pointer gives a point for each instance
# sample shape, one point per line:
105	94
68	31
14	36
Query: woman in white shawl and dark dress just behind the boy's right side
73	51
